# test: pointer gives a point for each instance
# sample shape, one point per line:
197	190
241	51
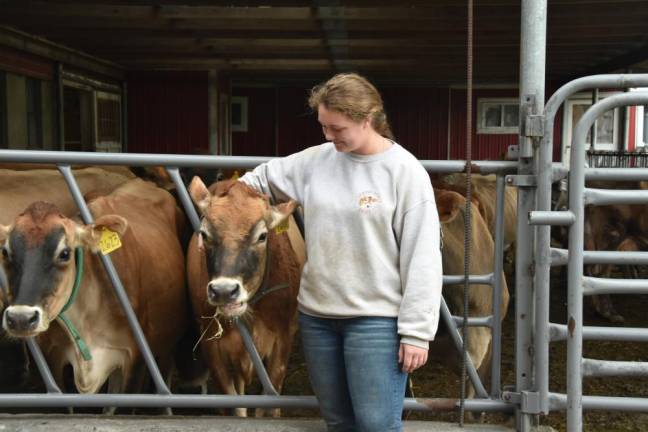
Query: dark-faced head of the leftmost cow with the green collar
38	256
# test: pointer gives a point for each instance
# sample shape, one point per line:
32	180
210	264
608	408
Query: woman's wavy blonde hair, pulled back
355	97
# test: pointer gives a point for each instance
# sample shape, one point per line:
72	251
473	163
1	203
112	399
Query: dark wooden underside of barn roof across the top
407	41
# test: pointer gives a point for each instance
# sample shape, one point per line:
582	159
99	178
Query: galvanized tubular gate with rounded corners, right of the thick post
539	399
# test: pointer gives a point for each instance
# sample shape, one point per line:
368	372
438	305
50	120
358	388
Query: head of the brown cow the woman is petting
234	234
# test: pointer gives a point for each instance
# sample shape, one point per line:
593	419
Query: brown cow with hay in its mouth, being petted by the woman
237	257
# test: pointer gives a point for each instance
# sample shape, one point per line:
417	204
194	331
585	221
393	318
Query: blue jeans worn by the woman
353	368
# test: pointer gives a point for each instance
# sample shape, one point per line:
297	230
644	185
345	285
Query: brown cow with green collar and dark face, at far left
39	259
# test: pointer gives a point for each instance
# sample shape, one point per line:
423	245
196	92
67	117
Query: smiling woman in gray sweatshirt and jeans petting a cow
371	287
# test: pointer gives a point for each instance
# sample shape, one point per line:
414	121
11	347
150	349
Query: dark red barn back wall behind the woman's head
281	123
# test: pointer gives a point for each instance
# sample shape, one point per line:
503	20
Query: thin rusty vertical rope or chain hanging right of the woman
467	214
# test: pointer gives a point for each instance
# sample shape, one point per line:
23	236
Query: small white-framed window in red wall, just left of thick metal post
498	116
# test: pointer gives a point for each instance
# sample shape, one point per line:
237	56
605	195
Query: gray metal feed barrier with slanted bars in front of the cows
486	400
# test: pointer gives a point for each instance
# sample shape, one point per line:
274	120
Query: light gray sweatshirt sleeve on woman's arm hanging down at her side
421	274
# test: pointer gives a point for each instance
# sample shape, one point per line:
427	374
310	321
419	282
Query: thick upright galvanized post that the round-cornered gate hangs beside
532	77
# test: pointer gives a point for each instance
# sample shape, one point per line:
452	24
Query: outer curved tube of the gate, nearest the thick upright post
546	174
